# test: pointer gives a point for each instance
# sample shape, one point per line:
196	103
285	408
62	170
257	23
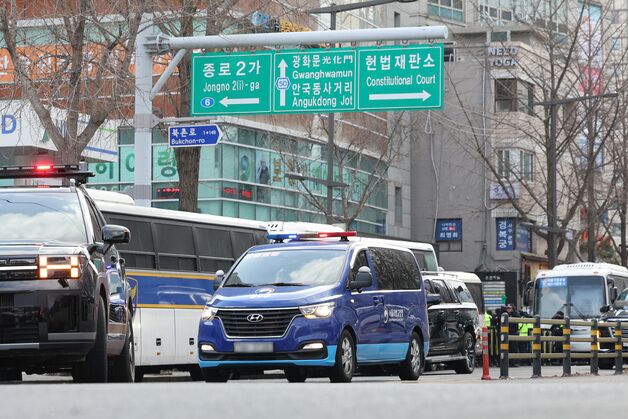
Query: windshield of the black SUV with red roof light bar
49	216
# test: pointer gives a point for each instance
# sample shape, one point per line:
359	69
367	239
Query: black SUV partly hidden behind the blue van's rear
454	319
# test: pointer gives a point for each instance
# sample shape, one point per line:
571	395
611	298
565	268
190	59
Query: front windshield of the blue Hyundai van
288	267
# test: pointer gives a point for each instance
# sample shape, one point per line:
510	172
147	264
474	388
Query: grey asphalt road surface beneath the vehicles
440	394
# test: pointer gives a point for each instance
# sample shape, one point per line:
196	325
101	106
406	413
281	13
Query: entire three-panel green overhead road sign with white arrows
319	80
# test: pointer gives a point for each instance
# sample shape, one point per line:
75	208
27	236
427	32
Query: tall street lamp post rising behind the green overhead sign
333	9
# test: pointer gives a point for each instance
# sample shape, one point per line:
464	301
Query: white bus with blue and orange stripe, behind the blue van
171	263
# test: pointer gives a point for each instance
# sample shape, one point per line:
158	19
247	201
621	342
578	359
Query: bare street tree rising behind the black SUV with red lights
72	64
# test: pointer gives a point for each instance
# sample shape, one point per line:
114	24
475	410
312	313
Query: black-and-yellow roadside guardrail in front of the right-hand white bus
566	355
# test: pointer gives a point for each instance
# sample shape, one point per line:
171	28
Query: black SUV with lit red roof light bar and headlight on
64	299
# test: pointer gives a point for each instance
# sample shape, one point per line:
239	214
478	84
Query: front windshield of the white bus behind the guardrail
577	296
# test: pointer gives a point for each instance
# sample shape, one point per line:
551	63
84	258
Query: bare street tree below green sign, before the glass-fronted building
366	147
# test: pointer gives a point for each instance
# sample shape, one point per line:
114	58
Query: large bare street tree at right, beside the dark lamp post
564	62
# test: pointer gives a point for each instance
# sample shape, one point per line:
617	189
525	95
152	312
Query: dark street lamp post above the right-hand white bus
552	217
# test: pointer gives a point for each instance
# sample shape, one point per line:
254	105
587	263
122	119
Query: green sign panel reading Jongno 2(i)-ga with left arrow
224	84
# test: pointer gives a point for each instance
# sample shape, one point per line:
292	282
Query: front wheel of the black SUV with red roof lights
94	369
